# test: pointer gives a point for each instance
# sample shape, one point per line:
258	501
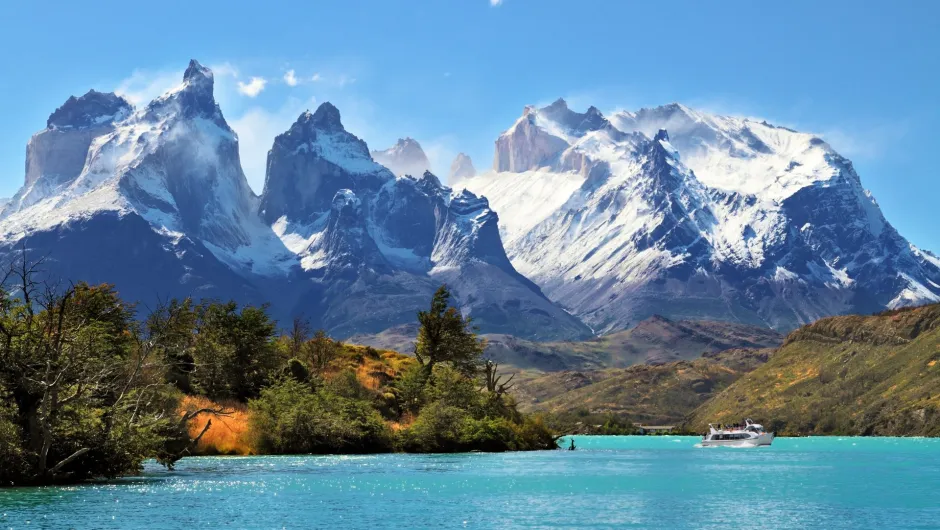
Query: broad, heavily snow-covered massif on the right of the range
720	217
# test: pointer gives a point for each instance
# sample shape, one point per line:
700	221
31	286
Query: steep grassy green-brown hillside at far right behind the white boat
861	375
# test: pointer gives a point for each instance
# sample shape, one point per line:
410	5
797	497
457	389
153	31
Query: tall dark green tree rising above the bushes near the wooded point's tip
446	337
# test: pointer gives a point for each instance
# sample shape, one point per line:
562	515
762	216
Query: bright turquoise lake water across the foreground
609	482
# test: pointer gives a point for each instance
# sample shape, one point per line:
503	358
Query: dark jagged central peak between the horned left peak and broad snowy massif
386	242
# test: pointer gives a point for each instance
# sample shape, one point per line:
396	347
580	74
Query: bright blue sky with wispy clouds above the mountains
453	74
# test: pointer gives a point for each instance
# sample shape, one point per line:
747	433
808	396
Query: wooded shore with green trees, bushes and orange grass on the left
90	389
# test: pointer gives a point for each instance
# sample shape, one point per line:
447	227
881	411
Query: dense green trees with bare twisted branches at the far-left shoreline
84	388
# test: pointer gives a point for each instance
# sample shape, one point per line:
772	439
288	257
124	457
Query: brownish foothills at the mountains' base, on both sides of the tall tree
656	340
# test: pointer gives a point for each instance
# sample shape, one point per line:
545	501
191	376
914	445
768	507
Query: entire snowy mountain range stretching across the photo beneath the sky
587	224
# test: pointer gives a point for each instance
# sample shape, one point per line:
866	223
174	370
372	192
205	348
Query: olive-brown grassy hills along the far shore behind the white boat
849	375
